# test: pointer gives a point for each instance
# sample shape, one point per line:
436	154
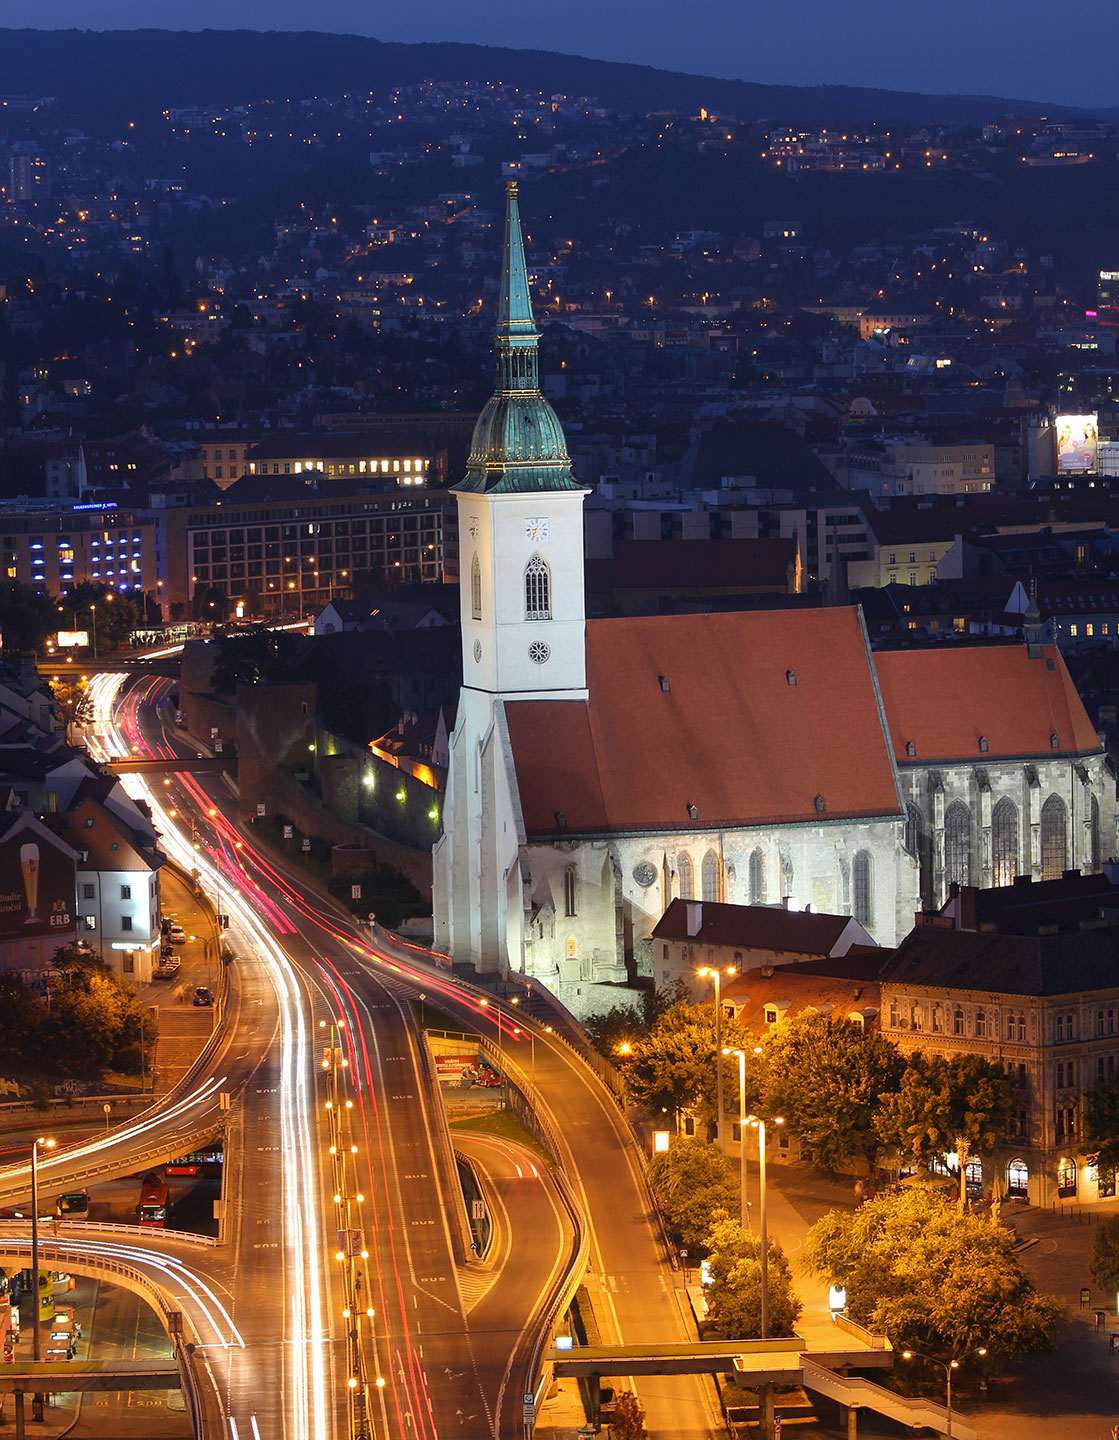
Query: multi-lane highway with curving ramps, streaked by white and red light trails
377	1226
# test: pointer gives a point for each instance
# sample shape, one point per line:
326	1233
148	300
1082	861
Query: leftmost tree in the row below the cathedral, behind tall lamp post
673	1066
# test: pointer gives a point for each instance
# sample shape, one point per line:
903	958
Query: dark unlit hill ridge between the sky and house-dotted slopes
120	73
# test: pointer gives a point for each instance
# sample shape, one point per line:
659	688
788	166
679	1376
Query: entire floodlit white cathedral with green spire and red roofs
600	770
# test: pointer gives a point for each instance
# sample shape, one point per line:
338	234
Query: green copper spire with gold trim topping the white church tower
518	443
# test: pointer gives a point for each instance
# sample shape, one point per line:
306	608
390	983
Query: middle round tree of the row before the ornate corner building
827	1079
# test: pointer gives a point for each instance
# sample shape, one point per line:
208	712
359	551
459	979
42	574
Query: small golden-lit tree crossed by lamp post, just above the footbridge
735	1294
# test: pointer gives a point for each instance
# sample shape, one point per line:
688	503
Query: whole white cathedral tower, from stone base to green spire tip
521	525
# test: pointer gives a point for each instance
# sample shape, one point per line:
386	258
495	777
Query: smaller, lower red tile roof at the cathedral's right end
944	701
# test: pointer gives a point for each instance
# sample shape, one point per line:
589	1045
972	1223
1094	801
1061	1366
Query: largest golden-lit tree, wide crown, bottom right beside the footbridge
931	1277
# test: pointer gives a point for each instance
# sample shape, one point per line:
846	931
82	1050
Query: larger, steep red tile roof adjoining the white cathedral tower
731	735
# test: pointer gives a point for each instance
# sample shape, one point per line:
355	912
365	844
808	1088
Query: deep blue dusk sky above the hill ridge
1022	50
